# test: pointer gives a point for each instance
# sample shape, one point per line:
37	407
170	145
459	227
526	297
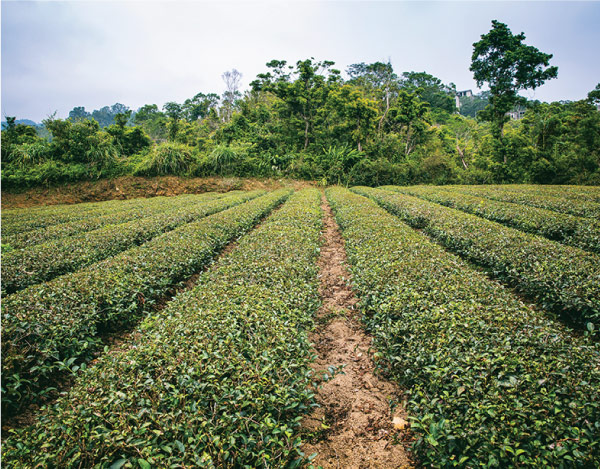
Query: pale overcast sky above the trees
58	55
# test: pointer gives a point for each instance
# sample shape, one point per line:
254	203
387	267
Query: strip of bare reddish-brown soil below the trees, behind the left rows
130	187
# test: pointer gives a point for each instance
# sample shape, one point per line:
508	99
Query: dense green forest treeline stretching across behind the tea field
305	121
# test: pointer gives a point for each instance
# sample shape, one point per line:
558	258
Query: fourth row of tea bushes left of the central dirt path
151	207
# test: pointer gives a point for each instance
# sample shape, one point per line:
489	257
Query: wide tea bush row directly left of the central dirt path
219	378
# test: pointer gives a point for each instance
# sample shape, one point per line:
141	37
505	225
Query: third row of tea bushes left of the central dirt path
46	261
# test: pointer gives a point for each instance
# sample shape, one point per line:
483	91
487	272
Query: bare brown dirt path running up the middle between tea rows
354	427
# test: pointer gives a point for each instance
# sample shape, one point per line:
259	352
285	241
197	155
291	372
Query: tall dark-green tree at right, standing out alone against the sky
508	66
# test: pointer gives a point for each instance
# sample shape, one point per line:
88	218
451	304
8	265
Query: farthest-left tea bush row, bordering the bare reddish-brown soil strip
28	219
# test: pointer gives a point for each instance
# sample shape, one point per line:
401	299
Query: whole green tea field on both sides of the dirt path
174	331
